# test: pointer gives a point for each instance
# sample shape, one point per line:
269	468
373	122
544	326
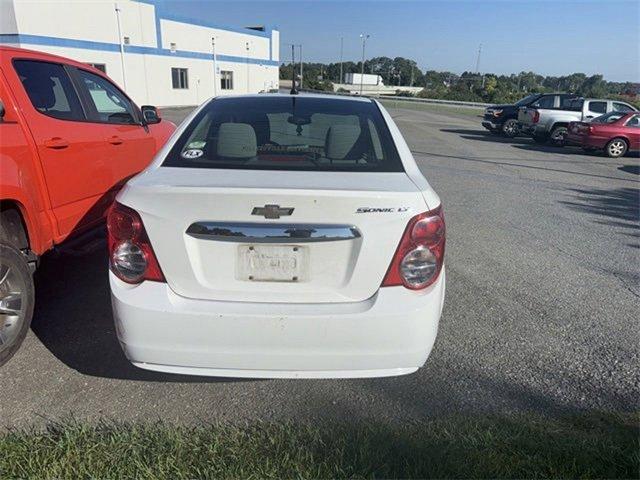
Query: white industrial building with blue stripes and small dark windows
156	55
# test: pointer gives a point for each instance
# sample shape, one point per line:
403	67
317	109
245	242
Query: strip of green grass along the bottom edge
587	446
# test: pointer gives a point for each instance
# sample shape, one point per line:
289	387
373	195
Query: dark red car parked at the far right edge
615	132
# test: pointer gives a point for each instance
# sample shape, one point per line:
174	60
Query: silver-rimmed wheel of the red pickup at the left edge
17	297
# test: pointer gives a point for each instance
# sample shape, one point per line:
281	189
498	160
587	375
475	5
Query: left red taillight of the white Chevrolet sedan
131	256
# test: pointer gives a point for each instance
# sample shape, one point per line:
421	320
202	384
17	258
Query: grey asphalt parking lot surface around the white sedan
541	313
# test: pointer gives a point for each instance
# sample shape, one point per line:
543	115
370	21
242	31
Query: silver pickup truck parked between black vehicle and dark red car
550	122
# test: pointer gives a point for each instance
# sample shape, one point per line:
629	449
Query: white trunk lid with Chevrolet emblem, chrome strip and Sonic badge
209	231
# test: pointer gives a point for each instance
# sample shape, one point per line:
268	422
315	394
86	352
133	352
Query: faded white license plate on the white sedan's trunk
272	263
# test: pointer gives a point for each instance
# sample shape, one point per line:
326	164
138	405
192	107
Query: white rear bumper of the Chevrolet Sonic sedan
391	333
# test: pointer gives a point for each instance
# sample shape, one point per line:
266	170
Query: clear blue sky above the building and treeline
544	36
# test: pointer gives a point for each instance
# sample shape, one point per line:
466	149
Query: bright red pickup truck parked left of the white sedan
69	139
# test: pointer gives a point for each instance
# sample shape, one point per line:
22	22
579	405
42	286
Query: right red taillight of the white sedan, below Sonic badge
420	255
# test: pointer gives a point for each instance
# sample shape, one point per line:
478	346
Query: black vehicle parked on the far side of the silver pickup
504	118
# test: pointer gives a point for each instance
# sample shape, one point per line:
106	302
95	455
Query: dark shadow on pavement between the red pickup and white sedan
73	318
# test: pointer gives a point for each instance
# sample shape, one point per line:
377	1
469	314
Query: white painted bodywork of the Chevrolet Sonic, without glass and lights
334	321
